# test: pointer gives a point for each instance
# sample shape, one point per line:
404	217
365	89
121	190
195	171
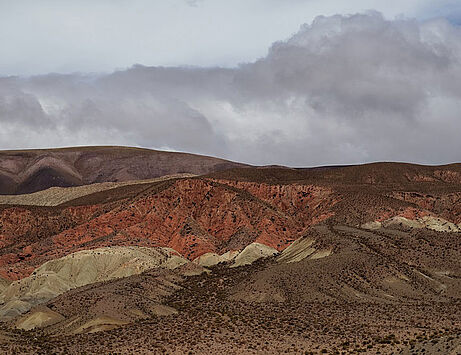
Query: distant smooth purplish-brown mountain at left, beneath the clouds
26	171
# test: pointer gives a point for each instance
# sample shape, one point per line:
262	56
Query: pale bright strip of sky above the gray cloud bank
38	37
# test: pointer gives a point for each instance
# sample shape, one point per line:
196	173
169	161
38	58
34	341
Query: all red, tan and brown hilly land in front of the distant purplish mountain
340	259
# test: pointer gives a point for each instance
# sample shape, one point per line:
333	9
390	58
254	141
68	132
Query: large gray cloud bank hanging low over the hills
344	89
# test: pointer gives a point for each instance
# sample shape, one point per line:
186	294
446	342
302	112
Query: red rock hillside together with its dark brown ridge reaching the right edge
225	211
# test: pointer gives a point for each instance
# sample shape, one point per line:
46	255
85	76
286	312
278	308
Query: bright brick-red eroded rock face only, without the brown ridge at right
192	216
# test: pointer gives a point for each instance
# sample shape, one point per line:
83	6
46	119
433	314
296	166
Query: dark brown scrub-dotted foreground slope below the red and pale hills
374	292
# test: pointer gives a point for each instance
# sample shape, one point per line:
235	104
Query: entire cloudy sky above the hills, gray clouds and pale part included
290	82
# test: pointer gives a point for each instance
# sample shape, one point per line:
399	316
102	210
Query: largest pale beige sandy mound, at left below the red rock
78	269
